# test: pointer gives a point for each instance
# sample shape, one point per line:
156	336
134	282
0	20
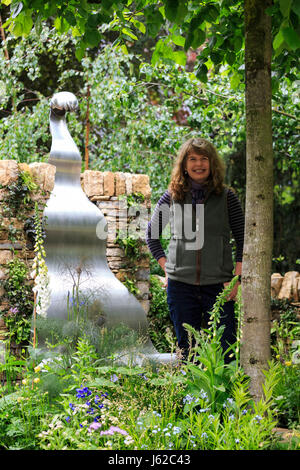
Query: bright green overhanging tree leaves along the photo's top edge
185	24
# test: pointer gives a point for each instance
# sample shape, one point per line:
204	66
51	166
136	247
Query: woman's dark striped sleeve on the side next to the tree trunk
236	222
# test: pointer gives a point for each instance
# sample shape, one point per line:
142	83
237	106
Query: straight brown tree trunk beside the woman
256	284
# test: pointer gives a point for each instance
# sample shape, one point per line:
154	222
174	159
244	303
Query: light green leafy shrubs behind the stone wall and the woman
140	113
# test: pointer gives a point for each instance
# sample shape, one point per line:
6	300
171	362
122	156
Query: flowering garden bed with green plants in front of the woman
79	395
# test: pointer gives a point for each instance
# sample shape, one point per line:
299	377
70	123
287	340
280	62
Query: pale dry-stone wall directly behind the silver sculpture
103	188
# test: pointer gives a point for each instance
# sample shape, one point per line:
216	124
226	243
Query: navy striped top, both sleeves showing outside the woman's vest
236	222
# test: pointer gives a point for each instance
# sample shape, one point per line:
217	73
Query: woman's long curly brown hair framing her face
180	184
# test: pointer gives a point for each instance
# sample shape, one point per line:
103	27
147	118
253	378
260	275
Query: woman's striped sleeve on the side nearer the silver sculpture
158	222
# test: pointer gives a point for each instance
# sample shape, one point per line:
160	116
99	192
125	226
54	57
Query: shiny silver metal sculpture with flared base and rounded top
75	255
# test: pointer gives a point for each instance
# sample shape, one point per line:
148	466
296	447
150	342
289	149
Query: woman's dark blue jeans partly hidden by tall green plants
191	304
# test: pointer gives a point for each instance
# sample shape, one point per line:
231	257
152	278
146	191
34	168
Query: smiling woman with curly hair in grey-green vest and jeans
198	267
